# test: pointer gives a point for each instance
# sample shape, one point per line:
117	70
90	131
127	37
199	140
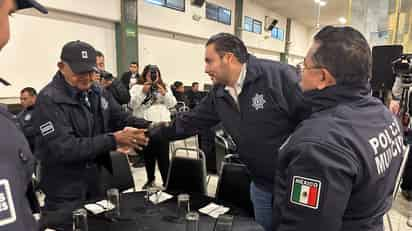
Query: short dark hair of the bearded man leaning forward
225	42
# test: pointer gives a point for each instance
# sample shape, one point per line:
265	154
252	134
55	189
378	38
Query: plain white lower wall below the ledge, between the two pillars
179	57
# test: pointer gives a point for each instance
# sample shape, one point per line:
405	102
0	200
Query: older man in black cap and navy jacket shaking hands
76	120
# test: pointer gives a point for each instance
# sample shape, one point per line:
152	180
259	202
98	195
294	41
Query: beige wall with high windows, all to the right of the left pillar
175	42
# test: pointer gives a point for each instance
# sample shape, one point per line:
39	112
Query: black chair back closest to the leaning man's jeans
234	186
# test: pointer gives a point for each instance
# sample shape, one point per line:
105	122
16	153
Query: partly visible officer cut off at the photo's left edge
16	165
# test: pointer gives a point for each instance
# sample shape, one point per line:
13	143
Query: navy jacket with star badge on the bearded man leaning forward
268	105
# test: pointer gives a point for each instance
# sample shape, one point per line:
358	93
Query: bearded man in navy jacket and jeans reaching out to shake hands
257	102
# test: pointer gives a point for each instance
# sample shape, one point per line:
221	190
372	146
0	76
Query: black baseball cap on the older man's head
80	56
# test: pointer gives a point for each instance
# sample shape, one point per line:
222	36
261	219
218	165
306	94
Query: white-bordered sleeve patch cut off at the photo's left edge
7	209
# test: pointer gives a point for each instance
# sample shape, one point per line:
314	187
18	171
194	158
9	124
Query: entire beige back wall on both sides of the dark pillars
172	39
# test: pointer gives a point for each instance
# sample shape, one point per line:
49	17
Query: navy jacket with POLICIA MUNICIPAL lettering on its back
338	169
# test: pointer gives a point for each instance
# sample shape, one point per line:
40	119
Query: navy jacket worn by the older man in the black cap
67	141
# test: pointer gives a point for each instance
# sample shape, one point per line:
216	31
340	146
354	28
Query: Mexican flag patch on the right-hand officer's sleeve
305	192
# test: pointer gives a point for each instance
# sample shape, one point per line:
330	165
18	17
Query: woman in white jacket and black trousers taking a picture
151	100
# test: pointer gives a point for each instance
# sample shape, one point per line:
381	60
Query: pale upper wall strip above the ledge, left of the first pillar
106	9
